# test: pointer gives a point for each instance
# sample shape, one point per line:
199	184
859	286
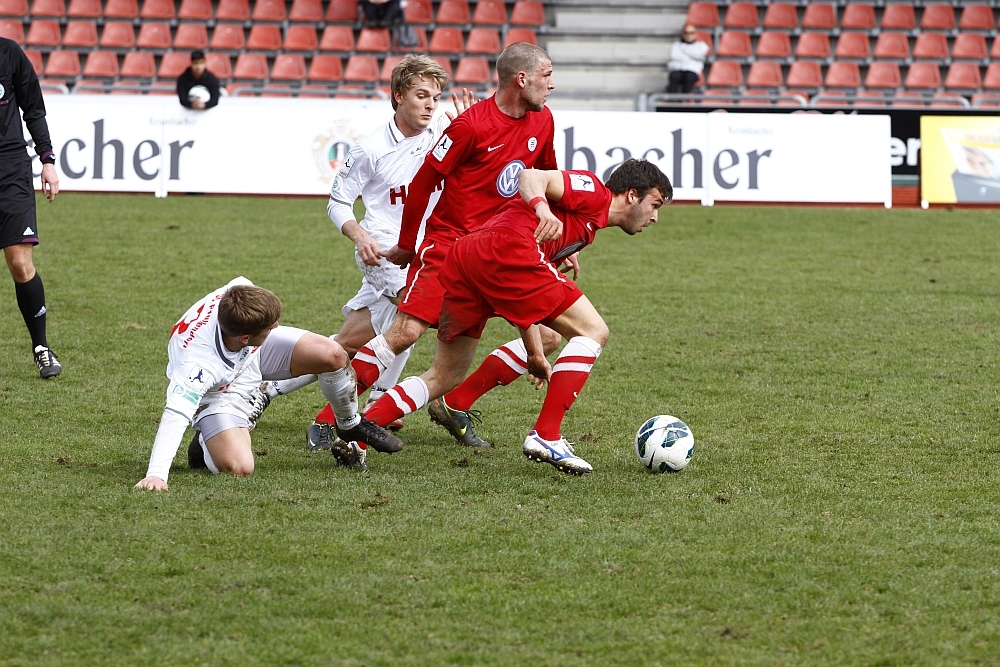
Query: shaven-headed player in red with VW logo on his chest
479	158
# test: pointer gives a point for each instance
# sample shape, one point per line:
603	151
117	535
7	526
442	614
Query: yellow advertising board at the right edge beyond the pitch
959	159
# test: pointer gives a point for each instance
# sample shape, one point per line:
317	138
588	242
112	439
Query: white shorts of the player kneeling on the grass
272	362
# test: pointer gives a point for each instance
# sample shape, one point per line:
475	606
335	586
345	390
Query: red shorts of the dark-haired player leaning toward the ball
496	271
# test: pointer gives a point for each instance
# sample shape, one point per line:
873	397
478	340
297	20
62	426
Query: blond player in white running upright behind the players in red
379	169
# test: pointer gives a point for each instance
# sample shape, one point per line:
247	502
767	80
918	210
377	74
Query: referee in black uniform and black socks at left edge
18	228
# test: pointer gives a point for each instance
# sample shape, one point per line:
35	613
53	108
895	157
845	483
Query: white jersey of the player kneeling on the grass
201	370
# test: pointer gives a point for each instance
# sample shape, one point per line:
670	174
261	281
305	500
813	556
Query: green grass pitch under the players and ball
837	367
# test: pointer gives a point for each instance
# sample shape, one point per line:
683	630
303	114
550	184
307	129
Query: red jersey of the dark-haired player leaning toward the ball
583	210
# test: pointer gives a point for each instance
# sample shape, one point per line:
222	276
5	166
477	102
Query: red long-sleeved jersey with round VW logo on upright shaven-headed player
481	154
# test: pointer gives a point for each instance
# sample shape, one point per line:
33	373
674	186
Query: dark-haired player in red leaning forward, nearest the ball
505	269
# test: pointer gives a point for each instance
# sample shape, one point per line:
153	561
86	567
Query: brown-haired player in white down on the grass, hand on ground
219	352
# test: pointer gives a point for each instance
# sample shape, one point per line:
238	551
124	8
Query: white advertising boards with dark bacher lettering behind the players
294	147
